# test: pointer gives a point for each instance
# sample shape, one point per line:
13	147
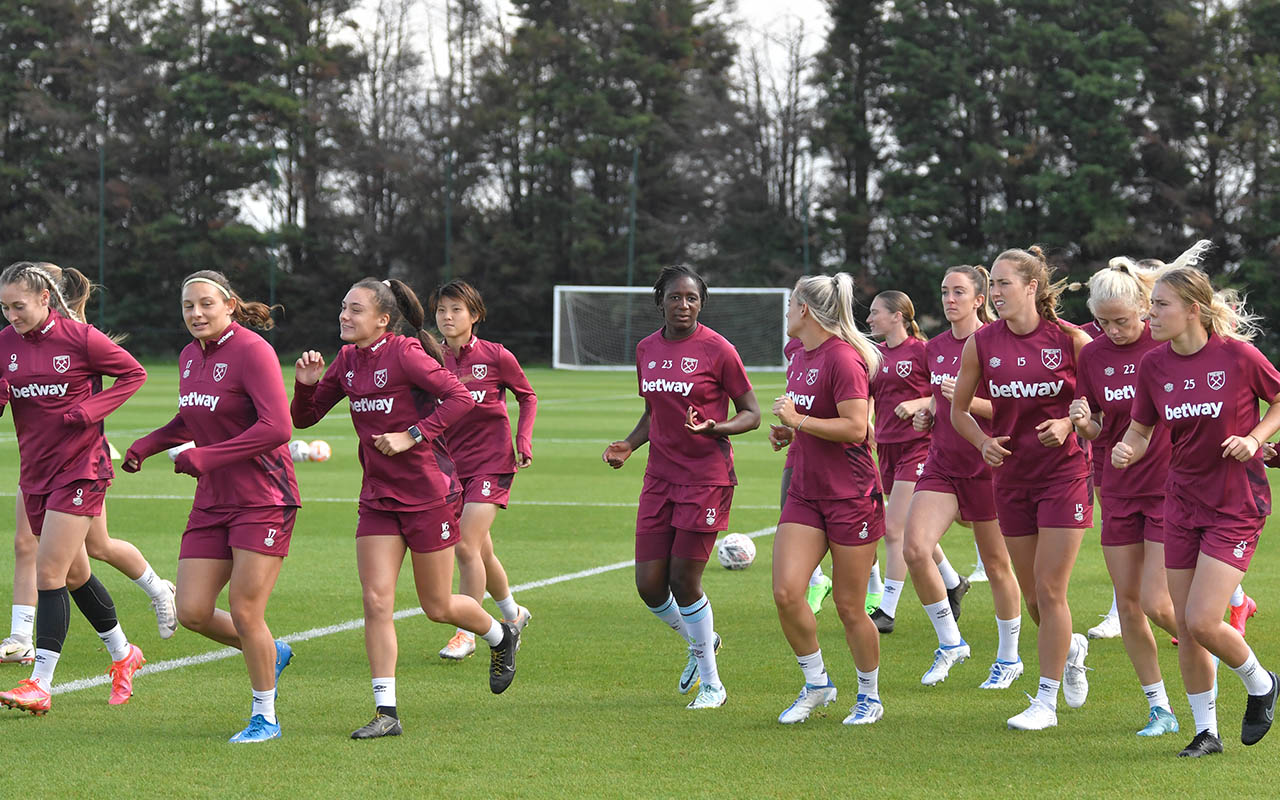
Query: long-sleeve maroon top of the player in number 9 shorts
56	390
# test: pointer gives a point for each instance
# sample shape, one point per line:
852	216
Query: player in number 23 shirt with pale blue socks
688	374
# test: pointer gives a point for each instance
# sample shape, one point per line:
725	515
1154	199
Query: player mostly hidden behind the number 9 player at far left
19	647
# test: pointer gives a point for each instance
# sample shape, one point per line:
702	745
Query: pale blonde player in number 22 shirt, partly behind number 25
1133	504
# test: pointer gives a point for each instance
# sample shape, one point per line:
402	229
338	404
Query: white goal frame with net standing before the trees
598	328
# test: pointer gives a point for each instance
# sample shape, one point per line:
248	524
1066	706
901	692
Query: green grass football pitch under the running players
595	710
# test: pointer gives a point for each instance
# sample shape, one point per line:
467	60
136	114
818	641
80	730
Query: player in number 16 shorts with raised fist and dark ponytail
401	404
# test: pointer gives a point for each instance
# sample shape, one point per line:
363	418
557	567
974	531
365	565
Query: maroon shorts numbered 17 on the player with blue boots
213	534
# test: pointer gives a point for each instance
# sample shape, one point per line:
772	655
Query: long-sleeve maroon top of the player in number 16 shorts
392	385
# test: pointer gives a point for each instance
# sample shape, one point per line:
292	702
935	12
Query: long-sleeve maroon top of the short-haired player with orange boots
481	445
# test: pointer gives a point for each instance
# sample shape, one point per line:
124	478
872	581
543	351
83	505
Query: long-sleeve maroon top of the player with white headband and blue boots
232	404
